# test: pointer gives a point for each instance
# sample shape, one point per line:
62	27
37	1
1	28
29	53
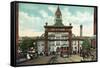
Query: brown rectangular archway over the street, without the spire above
67	29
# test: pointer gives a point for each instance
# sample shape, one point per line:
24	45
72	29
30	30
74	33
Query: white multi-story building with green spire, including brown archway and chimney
59	37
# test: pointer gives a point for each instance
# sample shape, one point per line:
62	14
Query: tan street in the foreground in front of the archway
54	59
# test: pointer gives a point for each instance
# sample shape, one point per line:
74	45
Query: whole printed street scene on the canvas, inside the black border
55	34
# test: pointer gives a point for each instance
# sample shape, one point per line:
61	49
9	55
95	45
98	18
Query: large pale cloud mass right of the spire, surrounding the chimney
85	18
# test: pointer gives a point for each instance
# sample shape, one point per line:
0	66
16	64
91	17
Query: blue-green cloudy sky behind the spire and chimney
32	18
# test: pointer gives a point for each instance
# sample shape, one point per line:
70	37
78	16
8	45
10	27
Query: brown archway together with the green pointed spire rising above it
58	27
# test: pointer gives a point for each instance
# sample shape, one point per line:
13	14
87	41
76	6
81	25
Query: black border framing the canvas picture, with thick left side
13	32
